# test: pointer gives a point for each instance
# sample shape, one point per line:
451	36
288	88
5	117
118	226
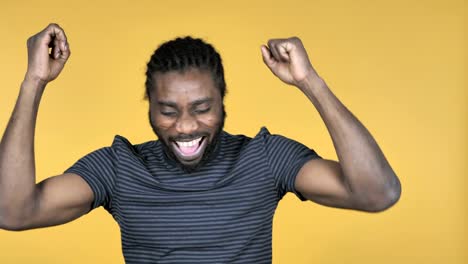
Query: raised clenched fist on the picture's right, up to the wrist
288	60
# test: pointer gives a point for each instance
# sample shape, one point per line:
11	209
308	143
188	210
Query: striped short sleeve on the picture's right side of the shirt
286	157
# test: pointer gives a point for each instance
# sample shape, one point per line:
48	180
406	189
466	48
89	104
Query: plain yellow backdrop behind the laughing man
399	66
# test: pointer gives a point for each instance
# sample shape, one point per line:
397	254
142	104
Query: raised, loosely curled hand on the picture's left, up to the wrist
44	66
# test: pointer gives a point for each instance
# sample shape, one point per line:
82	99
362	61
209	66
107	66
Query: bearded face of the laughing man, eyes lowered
186	113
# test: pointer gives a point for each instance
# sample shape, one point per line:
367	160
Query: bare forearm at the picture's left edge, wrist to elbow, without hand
17	166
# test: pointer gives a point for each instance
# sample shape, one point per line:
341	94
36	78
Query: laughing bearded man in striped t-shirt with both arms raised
198	194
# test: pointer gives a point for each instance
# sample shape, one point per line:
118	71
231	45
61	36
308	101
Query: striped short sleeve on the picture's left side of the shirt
98	170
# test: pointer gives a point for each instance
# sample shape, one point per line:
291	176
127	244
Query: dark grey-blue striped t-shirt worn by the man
220	213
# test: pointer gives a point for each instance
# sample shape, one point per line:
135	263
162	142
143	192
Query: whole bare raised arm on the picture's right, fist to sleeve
362	179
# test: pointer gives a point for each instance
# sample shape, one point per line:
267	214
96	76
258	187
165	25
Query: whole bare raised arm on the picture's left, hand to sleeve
23	203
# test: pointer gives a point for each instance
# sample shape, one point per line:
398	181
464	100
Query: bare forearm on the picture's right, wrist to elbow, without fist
367	173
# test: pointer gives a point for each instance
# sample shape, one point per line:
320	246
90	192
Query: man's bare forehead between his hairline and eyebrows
188	85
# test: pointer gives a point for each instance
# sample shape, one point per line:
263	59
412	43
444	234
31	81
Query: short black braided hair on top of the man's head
182	54
